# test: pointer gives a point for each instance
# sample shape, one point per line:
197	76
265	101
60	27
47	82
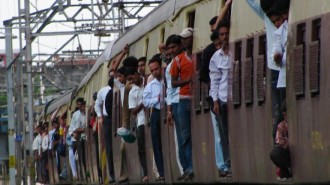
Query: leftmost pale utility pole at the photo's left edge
10	105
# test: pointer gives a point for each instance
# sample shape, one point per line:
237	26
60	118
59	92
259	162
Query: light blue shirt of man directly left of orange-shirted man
152	94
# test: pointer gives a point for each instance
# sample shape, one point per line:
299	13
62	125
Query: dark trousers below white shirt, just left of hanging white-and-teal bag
107	131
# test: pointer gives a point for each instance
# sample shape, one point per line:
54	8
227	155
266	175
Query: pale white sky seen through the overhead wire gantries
47	44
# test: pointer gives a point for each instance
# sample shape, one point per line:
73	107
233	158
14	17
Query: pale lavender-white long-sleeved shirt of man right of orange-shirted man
220	66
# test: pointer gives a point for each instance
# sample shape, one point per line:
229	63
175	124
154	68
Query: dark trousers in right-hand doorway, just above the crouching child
278	96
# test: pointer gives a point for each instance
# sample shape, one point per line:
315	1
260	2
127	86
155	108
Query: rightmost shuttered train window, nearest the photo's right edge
315	57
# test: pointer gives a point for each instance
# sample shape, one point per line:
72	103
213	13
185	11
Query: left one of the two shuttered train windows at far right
299	61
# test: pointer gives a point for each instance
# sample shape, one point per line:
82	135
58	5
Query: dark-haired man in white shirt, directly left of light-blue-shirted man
137	110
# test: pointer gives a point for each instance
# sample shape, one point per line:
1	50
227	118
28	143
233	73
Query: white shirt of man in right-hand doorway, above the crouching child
279	46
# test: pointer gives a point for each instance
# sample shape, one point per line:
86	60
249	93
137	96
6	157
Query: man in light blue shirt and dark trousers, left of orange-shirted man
153	97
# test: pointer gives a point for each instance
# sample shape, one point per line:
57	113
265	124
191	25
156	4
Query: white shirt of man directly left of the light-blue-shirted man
134	99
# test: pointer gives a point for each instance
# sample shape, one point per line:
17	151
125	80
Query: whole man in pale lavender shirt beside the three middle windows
220	73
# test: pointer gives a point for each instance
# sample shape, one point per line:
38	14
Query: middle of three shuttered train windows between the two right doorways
248	72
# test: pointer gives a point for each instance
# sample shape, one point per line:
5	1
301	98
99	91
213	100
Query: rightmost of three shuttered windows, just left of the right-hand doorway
261	69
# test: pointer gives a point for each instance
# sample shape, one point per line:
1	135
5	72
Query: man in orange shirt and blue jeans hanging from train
182	73
